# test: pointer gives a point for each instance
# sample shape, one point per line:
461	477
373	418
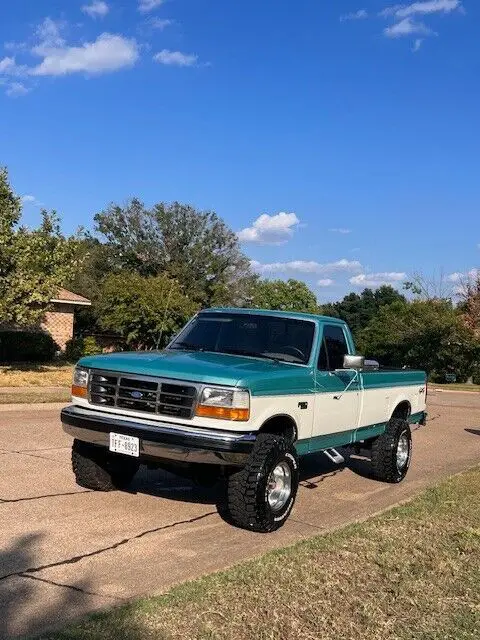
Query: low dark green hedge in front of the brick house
26	346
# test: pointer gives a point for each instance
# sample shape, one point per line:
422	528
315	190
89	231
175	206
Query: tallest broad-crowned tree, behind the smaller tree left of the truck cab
194	247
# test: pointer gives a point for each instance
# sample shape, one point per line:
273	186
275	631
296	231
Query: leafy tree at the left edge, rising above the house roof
33	263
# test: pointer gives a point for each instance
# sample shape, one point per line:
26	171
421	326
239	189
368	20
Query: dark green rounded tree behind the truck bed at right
425	334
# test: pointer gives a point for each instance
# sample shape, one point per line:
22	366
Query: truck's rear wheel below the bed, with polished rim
392	452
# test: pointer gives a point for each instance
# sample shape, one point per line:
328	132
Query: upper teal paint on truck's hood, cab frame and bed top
262	377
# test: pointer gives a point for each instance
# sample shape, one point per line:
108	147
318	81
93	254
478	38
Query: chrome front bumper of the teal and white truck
160	440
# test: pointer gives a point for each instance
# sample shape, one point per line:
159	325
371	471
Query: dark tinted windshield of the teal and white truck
270	337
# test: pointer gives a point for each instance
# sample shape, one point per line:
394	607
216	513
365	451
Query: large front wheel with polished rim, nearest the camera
262	494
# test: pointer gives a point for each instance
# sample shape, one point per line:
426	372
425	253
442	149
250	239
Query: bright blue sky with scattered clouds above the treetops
341	139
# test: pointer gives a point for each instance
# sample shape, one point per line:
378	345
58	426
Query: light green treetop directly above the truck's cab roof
292	295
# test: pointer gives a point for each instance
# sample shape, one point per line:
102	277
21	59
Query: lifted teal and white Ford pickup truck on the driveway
244	393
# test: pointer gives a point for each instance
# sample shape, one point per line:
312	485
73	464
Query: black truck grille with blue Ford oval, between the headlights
163	397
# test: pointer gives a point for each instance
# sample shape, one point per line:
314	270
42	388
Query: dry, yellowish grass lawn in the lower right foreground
410	574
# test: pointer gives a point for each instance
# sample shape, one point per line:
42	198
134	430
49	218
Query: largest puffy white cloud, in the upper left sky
107	53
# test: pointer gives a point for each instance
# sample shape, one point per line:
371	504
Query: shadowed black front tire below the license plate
98	469
